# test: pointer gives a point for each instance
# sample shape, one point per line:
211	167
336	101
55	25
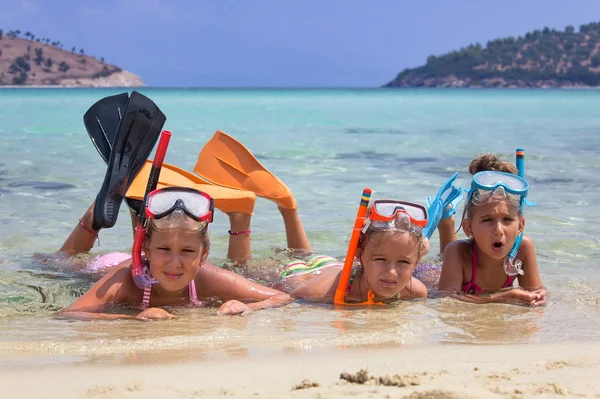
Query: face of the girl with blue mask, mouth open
494	226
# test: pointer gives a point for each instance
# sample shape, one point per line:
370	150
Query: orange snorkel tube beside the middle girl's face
359	222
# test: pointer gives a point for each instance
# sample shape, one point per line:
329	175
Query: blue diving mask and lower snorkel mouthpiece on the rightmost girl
513	188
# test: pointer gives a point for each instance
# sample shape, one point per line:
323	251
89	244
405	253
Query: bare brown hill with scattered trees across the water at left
28	60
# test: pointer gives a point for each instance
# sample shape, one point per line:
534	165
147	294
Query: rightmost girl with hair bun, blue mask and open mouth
496	252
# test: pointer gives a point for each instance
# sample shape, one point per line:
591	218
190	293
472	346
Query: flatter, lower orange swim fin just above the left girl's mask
226	199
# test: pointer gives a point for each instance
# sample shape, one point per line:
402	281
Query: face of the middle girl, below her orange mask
389	258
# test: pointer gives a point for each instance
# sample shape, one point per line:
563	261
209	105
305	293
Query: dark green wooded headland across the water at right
541	59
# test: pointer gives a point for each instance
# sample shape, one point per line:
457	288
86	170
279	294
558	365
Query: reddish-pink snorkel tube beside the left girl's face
141	275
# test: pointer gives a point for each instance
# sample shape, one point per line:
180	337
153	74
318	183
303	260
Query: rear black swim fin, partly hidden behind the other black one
102	121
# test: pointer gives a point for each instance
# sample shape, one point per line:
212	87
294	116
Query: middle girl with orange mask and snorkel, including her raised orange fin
387	246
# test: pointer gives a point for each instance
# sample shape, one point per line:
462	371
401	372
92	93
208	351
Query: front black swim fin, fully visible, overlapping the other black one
135	137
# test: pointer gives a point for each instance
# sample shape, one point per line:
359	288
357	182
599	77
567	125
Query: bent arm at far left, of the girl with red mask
115	287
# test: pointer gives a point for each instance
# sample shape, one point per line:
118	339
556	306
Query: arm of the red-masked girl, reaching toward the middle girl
212	281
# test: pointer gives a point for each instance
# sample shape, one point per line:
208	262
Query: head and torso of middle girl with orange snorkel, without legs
389	247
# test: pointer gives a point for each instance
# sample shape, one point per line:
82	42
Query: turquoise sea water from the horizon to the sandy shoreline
327	145
